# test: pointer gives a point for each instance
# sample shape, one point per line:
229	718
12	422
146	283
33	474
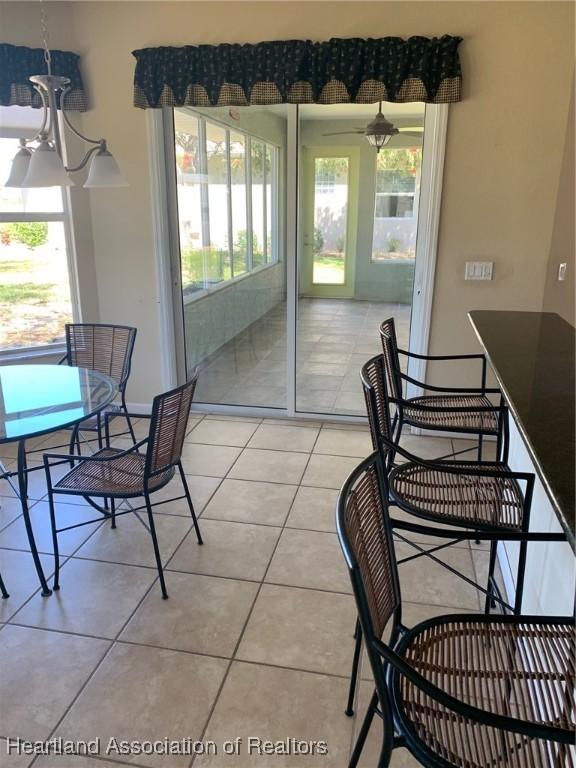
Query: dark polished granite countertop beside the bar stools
532	355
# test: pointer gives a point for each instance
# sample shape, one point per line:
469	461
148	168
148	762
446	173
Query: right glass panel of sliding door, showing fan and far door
358	213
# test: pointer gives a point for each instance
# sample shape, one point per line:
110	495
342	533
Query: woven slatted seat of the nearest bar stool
520	668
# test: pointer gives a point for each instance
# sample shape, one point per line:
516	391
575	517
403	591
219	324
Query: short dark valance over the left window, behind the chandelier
17	63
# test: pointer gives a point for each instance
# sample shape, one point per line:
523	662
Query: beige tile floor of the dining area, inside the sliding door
256	638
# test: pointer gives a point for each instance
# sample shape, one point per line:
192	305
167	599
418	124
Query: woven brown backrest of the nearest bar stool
366	539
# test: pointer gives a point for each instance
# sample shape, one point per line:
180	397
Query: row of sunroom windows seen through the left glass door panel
227	185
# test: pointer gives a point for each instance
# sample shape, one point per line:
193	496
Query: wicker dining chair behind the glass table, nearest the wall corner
107	349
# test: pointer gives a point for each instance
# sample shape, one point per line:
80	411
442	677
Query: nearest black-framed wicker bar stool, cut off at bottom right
461	690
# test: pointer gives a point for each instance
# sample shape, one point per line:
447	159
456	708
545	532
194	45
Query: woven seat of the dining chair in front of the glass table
119	477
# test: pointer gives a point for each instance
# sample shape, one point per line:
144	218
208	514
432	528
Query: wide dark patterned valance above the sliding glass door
300	72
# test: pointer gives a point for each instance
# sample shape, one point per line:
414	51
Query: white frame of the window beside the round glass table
65	217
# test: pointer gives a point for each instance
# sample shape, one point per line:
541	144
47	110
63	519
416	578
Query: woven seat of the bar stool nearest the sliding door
484	421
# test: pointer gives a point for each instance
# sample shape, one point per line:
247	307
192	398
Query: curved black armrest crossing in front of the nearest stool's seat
461	708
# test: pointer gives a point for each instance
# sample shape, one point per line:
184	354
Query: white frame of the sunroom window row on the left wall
271	255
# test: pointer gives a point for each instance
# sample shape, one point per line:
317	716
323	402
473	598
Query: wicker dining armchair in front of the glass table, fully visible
112	474
